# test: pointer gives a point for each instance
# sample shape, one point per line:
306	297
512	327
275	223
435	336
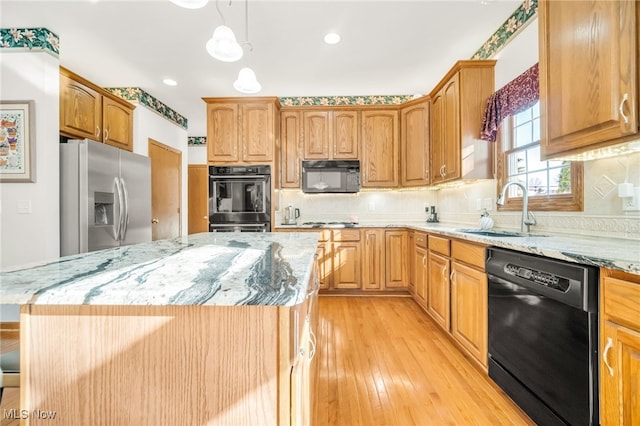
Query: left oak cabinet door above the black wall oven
222	132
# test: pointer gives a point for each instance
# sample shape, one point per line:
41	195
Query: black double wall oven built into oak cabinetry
240	198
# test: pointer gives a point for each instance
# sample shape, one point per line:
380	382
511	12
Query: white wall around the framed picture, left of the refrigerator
32	237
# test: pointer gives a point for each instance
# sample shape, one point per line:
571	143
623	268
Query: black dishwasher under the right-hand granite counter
543	335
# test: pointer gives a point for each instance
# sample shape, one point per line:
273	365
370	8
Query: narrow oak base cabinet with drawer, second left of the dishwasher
438	286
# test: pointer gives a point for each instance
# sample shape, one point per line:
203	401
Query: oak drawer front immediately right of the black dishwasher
621	300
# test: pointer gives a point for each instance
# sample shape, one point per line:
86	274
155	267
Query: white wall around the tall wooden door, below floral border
149	124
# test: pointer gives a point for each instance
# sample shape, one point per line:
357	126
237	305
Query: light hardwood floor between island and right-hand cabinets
382	361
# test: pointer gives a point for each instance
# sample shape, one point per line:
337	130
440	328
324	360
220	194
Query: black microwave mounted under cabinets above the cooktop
331	176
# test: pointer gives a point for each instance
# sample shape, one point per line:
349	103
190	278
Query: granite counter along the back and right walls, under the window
614	253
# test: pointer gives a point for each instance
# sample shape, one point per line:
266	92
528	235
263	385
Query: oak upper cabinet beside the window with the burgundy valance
457	107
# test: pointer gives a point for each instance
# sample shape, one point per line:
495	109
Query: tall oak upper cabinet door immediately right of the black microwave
379	165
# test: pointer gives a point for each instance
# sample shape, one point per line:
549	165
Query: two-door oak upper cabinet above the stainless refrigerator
87	111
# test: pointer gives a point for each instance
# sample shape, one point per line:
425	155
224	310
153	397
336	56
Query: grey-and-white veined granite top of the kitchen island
226	269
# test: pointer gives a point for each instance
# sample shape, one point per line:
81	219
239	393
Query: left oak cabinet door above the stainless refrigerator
80	110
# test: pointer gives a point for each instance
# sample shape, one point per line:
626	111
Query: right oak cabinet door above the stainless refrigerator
117	123
